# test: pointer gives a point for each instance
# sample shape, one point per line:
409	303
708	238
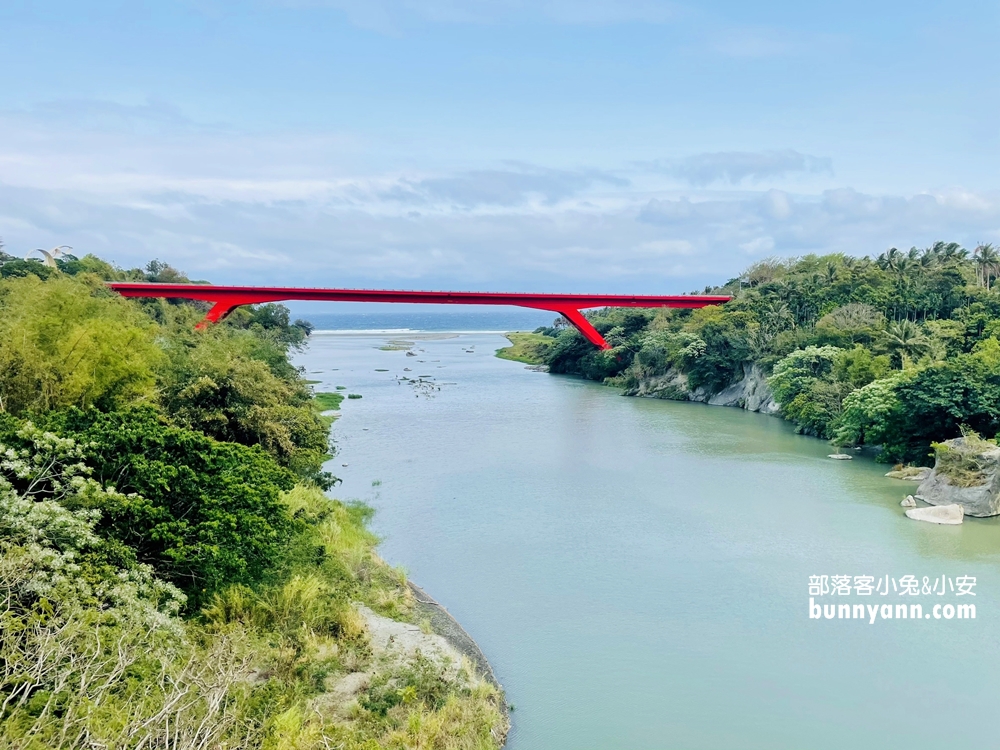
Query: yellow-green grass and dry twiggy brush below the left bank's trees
257	668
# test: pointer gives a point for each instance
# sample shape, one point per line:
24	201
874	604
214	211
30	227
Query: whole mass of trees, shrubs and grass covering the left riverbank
171	572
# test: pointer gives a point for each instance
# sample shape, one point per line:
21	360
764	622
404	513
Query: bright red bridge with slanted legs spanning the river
226	298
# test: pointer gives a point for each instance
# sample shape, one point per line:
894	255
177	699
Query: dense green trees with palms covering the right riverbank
898	351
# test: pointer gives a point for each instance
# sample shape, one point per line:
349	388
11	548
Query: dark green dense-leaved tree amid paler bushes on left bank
202	513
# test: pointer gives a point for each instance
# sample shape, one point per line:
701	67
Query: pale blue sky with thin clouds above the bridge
619	146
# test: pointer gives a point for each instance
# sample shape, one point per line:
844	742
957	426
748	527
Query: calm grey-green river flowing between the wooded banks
637	571
